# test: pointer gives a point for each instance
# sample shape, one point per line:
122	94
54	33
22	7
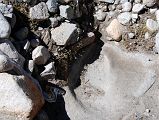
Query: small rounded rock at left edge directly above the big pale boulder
5	64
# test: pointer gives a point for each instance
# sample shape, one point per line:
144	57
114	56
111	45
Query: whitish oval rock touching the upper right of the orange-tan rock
124	18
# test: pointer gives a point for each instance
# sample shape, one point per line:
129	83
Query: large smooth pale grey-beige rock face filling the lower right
120	82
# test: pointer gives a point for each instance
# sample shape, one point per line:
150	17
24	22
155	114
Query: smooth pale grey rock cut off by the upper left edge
5	28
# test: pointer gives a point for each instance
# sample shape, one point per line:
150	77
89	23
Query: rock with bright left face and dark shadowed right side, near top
67	12
